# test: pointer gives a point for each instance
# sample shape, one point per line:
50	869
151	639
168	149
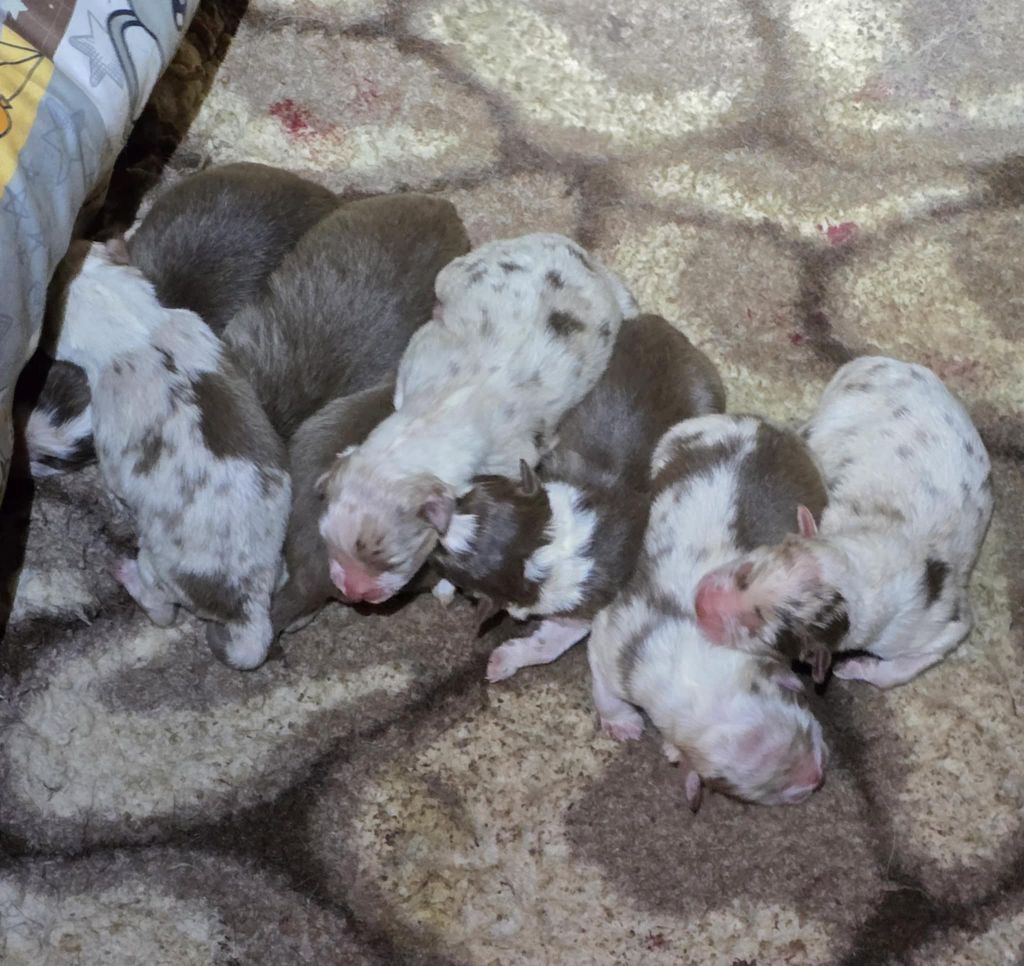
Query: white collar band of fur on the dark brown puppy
562	566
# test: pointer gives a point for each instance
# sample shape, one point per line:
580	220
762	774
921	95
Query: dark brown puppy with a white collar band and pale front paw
564	548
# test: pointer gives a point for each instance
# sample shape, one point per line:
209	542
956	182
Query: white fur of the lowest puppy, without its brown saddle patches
697	694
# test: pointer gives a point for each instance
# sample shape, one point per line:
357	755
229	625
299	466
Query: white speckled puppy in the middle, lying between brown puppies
524	330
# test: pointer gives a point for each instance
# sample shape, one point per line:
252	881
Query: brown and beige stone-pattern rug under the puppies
793	182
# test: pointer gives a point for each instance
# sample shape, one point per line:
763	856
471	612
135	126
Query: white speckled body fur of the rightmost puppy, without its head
940	492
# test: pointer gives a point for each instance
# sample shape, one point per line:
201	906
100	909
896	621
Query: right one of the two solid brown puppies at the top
340	310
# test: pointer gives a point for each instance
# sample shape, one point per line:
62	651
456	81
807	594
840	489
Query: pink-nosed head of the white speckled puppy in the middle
379	532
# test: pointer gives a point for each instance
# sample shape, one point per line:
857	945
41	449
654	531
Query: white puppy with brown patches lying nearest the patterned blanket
184	444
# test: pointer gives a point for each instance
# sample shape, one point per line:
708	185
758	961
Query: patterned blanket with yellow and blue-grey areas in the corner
74	76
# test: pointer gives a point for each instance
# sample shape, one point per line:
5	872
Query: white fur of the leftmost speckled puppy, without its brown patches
235	529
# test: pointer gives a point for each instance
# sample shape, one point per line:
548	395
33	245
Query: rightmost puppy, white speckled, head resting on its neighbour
910	503
